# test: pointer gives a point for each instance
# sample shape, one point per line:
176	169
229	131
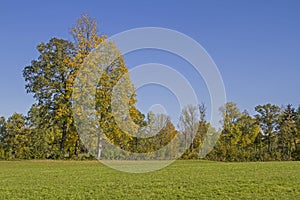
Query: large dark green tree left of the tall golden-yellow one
47	78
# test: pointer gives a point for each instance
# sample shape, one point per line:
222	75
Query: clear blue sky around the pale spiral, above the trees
255	44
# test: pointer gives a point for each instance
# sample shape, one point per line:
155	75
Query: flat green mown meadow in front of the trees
180	180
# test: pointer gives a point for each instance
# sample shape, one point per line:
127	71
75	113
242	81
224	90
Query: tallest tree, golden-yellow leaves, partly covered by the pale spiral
116	117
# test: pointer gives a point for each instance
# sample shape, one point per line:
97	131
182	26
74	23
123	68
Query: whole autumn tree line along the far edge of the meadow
49	131
